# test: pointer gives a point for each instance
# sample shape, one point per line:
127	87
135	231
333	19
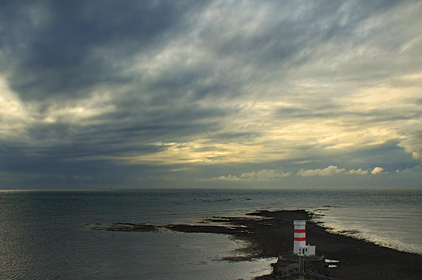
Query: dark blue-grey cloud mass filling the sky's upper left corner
61	49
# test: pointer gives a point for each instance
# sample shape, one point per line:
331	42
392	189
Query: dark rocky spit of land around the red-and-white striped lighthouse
270	233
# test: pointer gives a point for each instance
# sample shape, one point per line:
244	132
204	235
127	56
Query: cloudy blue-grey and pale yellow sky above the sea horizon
210	94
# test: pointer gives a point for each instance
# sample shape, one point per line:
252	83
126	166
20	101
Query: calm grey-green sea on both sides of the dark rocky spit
43	234
